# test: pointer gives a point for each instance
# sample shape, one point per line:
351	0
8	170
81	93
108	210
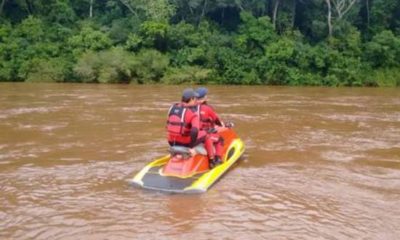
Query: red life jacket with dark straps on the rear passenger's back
177	123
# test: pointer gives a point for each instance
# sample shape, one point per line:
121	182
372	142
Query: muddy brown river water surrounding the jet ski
320	163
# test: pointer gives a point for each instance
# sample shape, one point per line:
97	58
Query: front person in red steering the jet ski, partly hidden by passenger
208	120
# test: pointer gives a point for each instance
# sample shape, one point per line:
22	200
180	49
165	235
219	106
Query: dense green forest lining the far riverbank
274	42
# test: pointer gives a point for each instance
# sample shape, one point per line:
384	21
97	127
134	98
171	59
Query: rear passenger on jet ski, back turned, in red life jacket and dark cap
183	124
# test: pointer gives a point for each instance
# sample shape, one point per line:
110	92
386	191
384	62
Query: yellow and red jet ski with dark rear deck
179	172
